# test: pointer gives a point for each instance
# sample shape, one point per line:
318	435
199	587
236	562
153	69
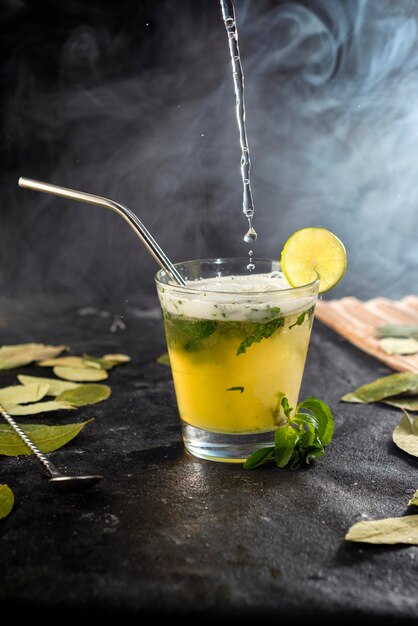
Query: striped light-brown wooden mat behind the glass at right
357	321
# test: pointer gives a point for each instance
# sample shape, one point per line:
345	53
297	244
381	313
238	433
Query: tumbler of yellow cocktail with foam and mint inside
237	342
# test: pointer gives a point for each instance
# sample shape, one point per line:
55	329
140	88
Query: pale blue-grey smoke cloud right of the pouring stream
336	132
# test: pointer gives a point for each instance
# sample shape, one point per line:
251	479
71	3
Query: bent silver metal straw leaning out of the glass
146	238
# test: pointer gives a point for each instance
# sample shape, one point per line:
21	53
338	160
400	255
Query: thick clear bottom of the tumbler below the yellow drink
224	447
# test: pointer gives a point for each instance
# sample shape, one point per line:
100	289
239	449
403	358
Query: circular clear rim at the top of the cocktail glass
220	260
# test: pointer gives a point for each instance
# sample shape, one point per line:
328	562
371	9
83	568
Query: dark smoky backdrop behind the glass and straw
134	100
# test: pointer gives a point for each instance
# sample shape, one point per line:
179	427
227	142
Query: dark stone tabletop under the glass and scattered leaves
164	534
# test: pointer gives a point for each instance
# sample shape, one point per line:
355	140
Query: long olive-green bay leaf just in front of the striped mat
385	387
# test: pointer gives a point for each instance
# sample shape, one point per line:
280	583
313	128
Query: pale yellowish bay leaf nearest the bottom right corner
391	530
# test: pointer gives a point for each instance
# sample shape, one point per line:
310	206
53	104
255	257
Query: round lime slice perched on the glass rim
310	251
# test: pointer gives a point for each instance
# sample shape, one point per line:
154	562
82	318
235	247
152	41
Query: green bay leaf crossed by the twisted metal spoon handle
46	438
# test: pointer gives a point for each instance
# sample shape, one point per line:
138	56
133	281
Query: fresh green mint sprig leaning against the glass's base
300	438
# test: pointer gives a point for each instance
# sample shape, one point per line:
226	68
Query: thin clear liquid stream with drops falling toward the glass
228	14
